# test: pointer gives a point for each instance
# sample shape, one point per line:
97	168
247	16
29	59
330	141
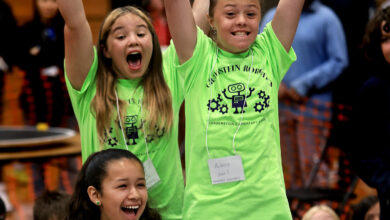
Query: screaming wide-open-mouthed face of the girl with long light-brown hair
130	46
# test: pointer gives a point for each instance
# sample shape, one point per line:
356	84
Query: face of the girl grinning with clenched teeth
237	24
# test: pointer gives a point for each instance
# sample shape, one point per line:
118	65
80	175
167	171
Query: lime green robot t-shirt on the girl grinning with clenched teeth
232	99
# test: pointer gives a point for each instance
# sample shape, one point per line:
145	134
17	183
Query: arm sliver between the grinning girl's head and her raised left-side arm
200	10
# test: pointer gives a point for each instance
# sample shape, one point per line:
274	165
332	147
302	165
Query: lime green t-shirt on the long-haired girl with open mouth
167	195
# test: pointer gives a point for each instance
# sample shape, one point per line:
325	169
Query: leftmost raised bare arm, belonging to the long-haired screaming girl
78	41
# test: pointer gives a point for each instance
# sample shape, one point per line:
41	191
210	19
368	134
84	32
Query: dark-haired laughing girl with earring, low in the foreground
111	186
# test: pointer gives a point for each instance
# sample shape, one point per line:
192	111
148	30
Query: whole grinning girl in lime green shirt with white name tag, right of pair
233	161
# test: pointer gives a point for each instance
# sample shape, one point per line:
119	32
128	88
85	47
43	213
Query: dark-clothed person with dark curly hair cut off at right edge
369	151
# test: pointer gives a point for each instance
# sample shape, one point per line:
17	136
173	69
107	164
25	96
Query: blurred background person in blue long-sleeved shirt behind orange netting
304	94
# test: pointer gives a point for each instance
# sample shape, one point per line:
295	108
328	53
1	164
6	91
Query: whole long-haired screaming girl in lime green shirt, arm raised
124	97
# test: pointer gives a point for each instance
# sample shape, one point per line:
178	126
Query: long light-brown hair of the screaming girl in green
157	97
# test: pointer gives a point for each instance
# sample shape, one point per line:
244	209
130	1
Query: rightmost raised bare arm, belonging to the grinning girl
285	21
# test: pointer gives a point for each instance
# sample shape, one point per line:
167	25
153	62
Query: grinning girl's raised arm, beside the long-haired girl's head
182	27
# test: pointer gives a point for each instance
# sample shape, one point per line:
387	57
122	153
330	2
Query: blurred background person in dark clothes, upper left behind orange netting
44	98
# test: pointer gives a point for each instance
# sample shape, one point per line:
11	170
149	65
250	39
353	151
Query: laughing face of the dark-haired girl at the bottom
124	194
